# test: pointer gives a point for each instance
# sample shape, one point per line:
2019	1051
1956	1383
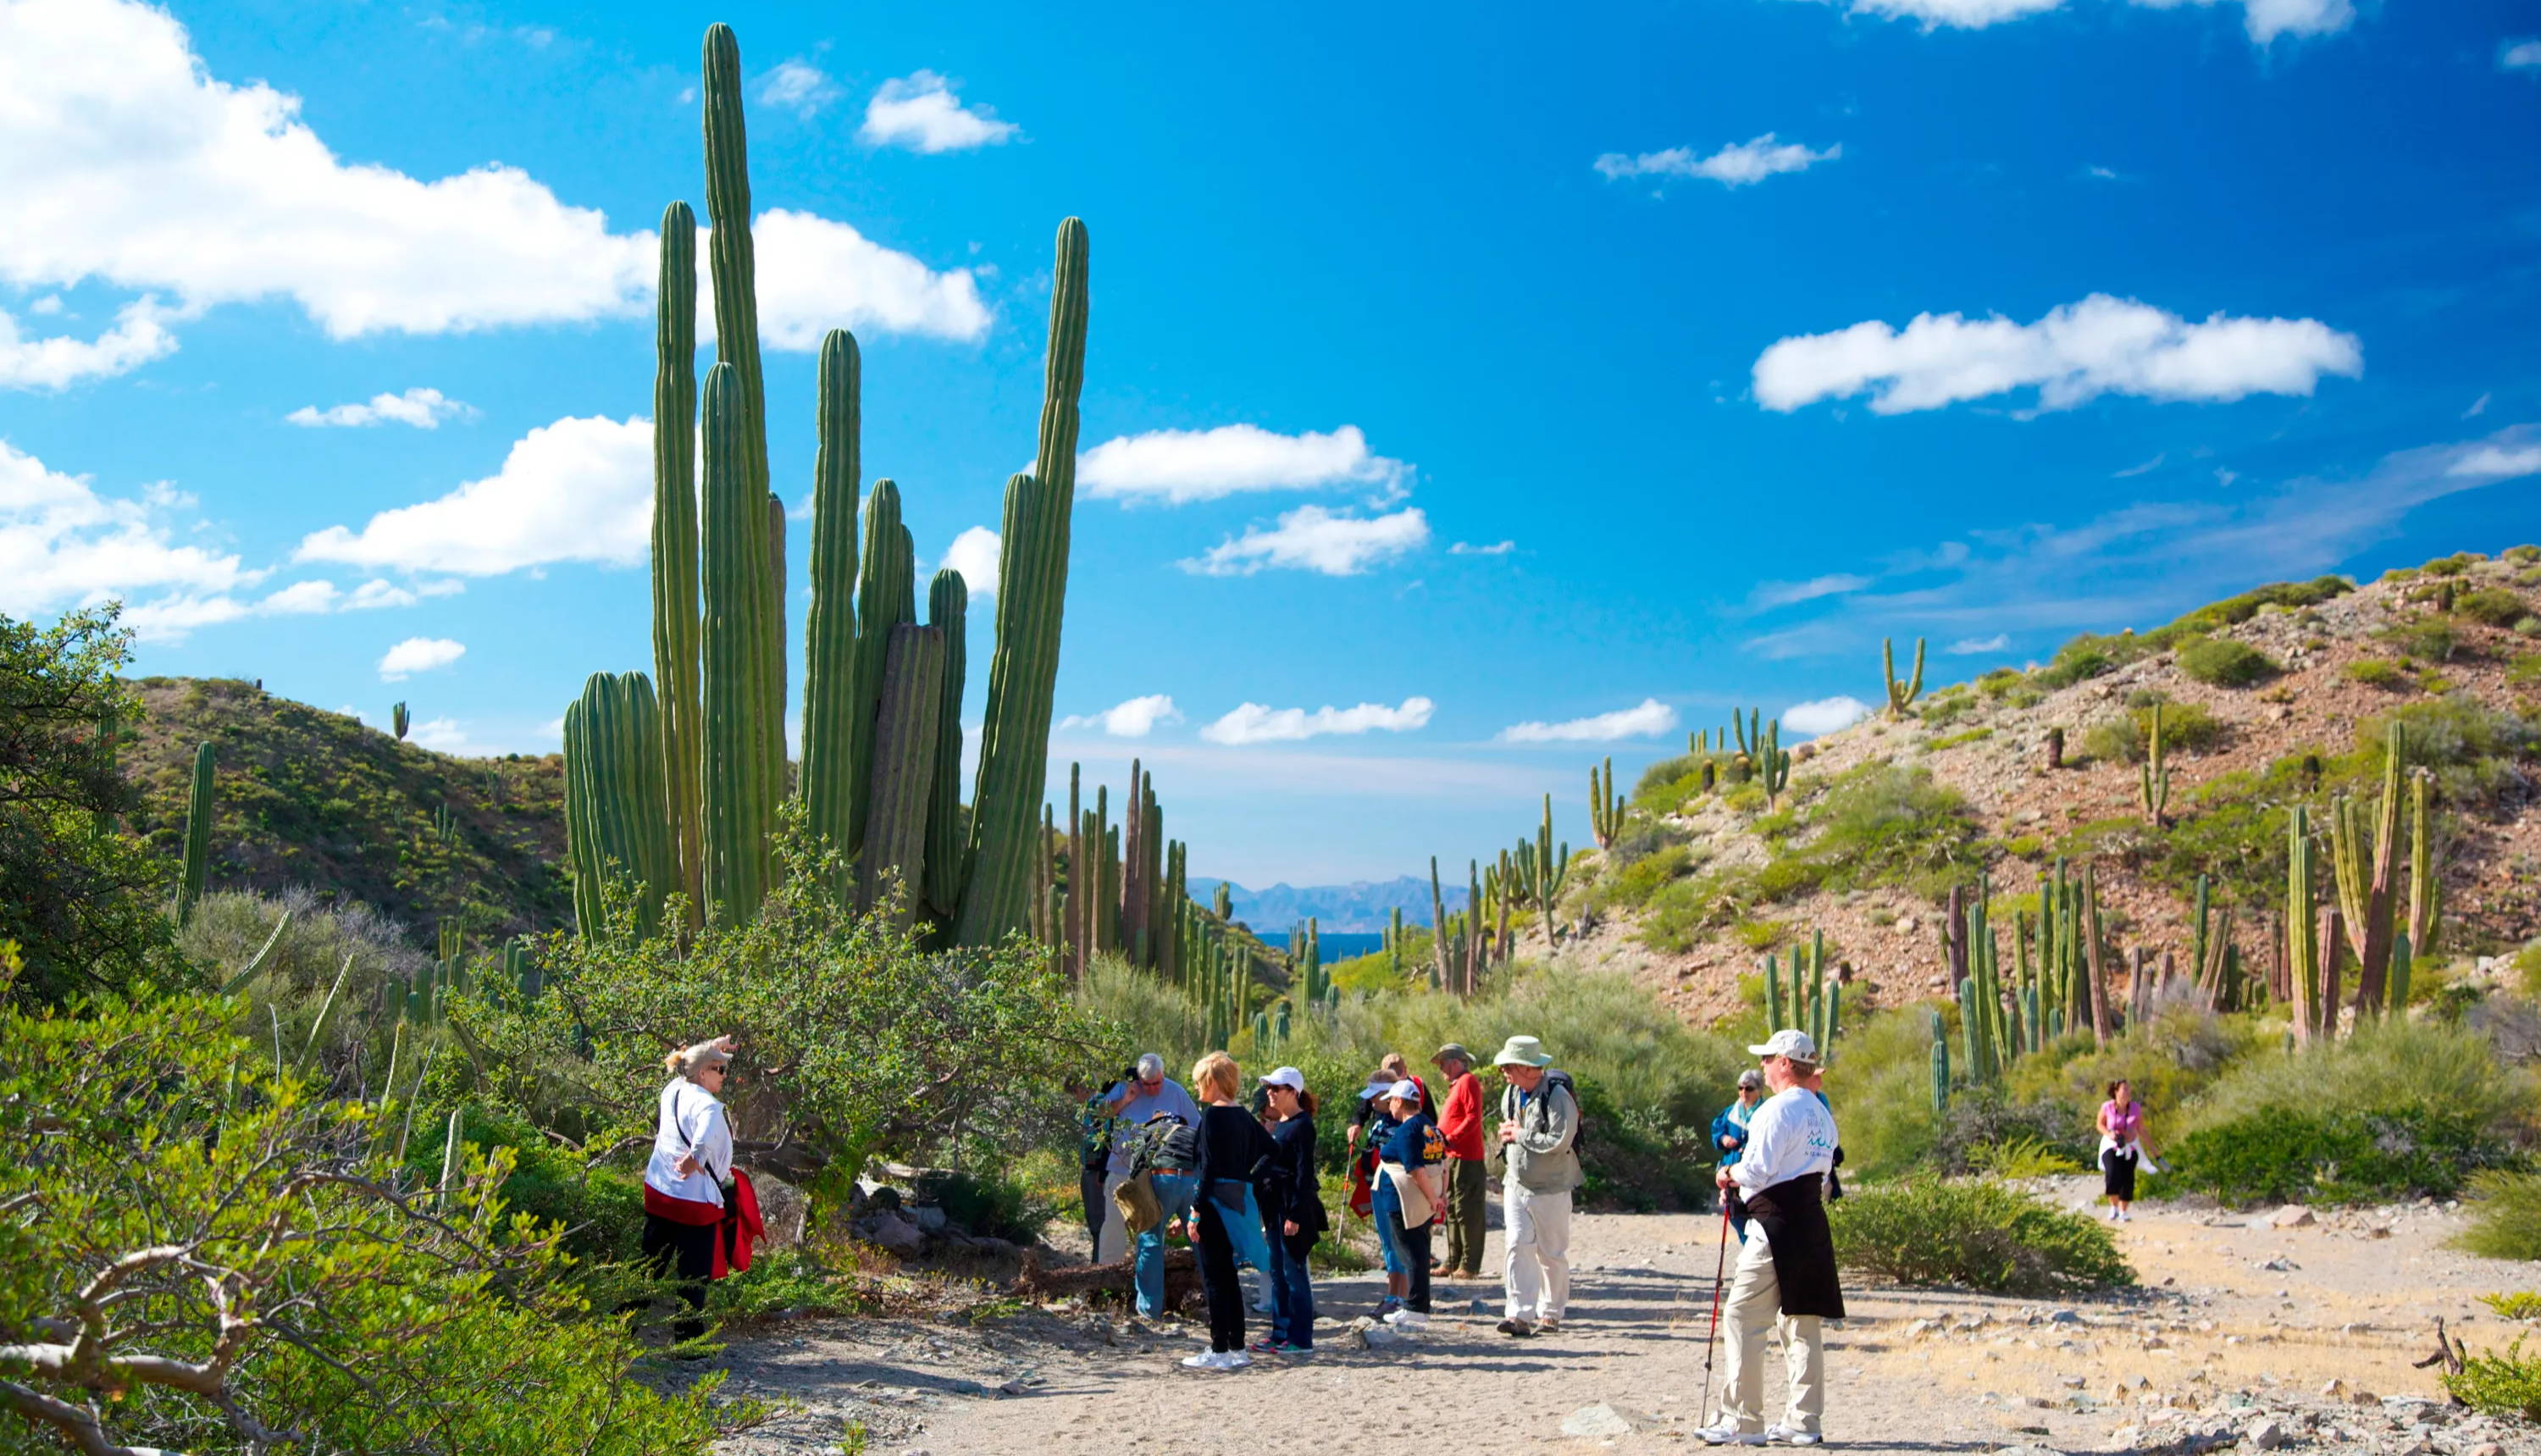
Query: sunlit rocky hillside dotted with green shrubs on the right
2270	700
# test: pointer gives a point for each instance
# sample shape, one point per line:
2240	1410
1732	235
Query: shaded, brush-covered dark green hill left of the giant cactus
352	814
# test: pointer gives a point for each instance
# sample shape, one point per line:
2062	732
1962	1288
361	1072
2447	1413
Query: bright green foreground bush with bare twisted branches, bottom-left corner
205	1257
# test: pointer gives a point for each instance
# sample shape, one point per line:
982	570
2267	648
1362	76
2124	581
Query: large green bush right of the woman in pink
2400	1109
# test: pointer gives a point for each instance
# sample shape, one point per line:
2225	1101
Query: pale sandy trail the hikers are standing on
2181	1366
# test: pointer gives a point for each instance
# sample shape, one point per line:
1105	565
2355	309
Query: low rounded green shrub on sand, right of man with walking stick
1976	1236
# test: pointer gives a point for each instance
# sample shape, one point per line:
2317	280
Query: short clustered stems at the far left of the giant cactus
614	797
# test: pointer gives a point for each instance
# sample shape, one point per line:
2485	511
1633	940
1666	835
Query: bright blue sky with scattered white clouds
1450	370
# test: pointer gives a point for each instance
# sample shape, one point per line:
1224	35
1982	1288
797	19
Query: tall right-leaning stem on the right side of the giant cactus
1030	601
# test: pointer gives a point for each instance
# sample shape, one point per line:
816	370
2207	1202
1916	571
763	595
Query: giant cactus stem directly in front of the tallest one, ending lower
741	784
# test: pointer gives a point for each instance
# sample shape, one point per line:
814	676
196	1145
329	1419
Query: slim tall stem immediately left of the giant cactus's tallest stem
675	550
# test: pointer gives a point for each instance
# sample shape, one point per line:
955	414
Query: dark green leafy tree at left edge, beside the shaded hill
83	898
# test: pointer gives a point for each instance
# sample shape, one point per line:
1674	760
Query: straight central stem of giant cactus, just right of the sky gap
835	708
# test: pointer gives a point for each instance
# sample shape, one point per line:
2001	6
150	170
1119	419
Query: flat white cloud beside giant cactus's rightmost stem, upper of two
1178	466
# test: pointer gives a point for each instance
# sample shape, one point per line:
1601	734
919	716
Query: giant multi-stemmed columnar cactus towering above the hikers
880	764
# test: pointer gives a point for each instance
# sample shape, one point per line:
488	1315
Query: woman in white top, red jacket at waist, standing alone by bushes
700	1213
